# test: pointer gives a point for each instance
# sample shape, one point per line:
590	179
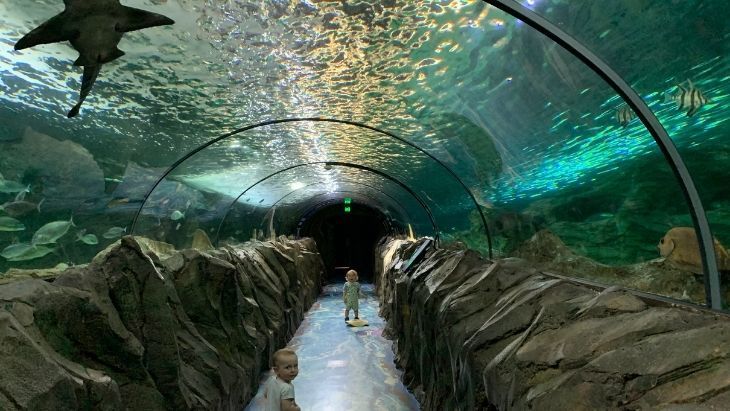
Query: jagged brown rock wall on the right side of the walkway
472	334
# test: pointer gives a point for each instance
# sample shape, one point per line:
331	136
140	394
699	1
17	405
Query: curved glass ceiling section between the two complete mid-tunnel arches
224	166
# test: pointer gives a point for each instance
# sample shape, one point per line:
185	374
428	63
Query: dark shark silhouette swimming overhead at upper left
94	29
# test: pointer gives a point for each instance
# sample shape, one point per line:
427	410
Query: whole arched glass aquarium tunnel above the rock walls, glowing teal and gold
570	133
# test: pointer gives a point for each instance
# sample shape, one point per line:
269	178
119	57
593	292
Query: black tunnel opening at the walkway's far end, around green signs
346	240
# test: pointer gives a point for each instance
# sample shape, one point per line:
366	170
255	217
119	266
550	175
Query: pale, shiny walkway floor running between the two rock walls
344	368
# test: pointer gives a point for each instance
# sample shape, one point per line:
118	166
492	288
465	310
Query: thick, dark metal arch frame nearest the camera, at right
647	117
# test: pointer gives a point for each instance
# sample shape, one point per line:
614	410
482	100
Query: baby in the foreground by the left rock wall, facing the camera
279	391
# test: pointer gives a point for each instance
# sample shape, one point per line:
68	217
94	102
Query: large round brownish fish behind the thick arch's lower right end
680	247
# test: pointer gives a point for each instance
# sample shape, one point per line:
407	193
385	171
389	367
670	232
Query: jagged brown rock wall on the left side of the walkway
145	327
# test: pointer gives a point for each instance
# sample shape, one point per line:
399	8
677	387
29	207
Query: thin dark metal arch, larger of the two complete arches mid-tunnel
314	119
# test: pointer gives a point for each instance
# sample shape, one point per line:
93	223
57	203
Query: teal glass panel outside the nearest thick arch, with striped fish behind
688	89
